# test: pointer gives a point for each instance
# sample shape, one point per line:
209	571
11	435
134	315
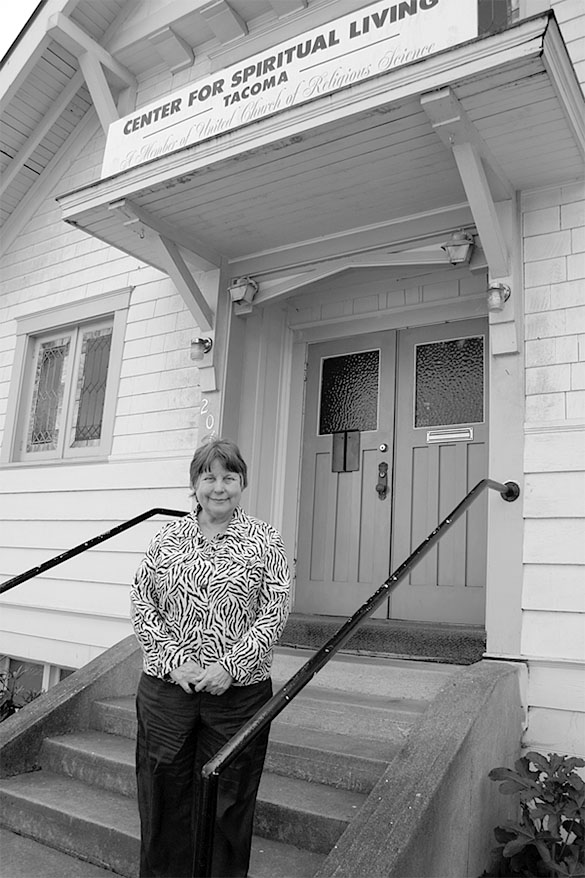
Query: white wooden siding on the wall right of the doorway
553	618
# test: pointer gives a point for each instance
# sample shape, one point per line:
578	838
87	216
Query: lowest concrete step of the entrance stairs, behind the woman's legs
77	831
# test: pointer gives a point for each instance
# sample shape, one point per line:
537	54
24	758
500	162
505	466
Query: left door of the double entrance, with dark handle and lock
344	547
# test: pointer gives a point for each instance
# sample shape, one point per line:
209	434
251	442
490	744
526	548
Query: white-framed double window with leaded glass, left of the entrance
64	381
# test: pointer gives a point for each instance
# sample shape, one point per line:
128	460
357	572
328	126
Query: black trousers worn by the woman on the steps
177	735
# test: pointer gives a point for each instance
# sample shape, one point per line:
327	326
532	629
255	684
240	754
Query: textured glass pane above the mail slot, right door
449	382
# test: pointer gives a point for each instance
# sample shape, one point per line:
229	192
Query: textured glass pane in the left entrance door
349	393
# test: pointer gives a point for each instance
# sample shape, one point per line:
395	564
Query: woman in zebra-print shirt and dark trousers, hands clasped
209	601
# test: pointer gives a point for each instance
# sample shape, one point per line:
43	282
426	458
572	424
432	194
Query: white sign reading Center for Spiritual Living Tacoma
369	42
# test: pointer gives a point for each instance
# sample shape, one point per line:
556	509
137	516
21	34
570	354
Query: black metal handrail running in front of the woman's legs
210	772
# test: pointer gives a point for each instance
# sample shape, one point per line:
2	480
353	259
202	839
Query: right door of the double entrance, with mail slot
436	464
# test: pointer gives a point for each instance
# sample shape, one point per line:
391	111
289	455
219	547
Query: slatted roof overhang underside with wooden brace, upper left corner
44	94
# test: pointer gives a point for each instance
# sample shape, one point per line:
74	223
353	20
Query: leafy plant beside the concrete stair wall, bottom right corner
548	839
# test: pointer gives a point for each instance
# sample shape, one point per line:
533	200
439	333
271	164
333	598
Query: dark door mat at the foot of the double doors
451	644
